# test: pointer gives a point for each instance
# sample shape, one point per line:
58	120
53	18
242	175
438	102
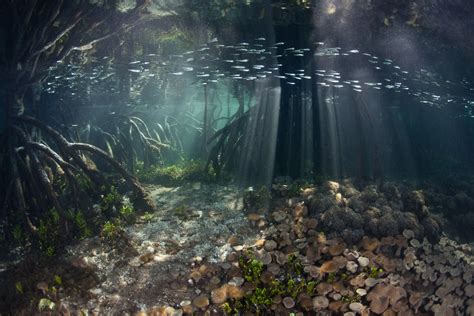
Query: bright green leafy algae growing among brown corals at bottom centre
257	302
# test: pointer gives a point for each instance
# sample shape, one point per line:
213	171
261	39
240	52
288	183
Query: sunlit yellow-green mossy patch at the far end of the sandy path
176	174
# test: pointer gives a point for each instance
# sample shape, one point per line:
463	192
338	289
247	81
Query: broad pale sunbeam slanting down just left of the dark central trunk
257	159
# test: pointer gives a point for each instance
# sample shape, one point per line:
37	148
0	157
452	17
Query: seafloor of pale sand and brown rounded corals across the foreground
329	249
